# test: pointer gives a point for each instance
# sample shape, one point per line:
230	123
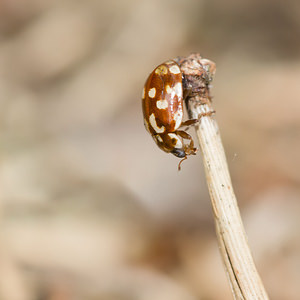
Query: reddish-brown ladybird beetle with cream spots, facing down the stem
162	103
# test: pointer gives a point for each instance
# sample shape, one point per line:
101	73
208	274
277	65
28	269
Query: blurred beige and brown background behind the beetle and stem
90	207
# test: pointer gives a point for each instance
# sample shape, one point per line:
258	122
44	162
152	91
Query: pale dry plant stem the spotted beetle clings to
244	279
